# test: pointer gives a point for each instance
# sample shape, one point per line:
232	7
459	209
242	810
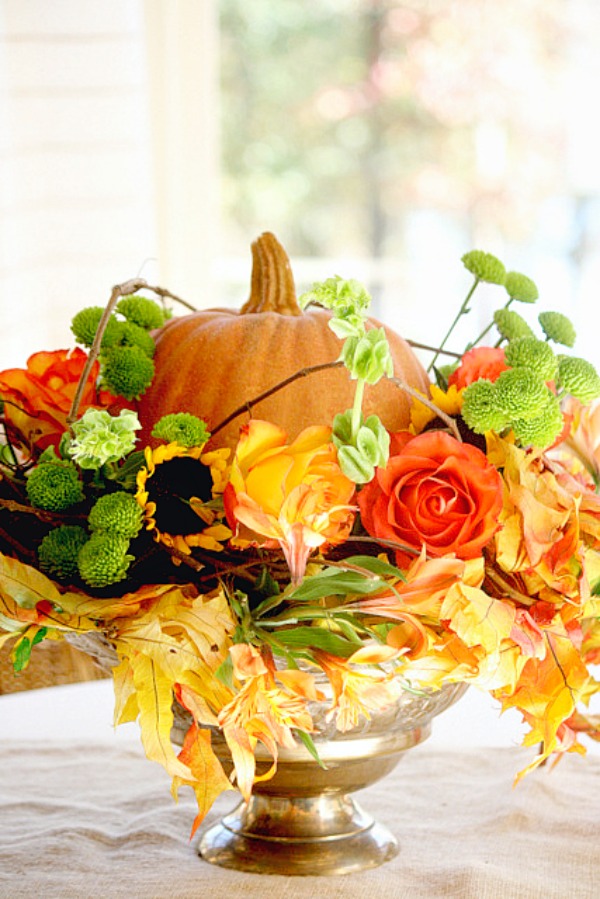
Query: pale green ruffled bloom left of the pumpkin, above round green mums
101	438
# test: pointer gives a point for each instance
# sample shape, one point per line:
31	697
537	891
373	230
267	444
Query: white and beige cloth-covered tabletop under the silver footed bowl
84	814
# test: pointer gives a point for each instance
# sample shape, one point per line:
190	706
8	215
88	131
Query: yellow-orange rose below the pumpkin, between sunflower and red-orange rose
290	495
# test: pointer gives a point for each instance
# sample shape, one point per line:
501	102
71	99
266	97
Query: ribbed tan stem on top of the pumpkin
272	286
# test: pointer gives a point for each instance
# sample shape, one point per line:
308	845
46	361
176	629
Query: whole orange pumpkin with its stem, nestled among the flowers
213	361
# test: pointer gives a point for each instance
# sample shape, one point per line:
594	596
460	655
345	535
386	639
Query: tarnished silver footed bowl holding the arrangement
303	820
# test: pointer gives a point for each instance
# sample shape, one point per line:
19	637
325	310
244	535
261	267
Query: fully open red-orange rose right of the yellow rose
435	492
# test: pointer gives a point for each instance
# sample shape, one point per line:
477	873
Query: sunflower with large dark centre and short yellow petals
176	488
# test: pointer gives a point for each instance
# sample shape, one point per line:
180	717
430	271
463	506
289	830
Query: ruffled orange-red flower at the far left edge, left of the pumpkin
38	399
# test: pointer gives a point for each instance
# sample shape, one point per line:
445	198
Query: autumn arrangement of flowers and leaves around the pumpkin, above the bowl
464	549
